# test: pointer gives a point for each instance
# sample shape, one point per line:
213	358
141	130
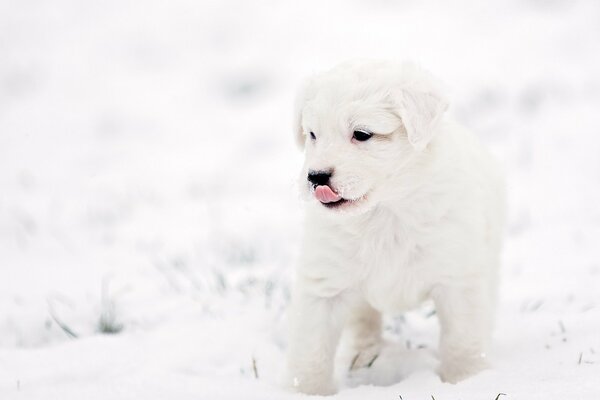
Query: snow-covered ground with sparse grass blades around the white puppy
149	218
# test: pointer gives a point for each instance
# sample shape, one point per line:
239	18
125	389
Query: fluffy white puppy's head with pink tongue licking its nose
361	124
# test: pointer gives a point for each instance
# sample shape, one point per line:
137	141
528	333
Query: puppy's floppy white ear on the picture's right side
421	106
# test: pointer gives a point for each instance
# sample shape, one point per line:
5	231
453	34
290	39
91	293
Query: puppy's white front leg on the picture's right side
465	315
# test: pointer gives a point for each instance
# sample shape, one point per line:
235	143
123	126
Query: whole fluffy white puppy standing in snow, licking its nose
405	206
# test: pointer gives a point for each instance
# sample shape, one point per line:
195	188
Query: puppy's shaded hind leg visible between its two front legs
364	325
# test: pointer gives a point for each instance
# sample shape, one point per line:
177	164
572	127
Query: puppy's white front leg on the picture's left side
316	324
